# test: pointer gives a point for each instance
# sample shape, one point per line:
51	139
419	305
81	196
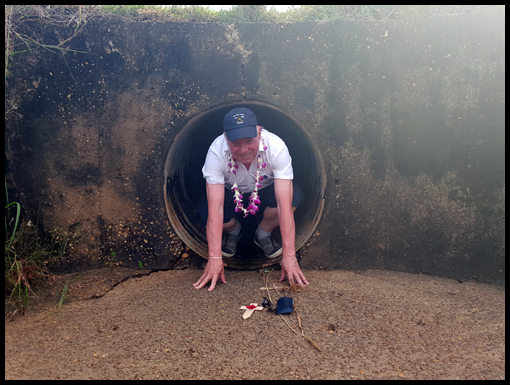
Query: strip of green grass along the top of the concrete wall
77	14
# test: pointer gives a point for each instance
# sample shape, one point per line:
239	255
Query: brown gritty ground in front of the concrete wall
368	325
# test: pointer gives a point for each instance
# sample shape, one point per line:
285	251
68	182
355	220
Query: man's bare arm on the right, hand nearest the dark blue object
284	191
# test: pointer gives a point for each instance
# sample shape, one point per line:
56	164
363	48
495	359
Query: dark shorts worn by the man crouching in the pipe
267	199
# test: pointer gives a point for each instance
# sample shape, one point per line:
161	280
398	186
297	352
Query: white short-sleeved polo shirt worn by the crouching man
276	156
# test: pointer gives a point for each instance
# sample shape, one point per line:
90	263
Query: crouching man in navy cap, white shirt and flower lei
248	159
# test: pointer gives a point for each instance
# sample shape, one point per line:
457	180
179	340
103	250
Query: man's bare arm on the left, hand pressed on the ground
214	267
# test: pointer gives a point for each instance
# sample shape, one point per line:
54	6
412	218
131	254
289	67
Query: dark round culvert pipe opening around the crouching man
184	184
